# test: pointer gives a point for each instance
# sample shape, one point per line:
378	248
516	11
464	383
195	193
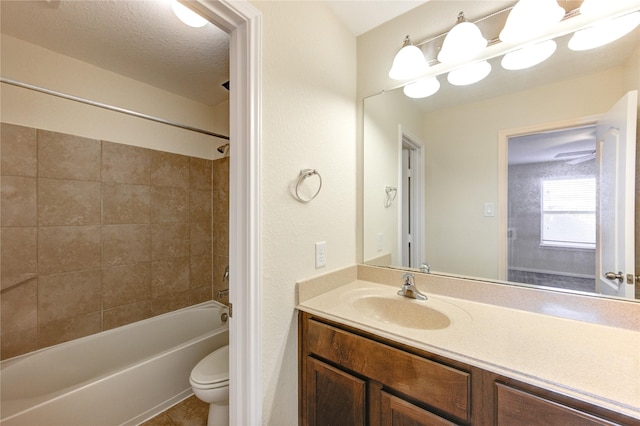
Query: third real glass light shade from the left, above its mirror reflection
530	19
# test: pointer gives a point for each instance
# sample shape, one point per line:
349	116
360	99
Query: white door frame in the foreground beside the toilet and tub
243	22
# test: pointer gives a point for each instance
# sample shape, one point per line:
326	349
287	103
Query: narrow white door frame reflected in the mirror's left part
407	139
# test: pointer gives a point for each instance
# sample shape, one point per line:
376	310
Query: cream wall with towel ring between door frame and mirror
308	121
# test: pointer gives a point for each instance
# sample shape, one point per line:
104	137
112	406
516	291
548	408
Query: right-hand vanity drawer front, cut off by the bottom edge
517	407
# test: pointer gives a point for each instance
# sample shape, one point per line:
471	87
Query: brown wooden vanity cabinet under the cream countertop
350	377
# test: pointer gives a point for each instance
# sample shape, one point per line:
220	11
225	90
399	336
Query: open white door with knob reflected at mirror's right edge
616	202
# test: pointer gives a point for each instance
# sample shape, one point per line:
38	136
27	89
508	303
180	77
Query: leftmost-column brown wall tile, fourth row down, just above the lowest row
19	308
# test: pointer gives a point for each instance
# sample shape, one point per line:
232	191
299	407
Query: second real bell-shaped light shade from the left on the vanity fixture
463	43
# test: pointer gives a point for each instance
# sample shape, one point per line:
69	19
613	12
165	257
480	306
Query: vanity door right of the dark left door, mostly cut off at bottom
395	411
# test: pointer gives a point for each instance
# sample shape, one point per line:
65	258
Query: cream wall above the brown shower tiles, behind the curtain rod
32	64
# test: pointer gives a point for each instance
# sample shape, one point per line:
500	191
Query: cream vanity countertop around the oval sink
595	363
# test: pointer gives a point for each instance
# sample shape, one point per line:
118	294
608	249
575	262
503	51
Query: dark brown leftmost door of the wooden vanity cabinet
334	397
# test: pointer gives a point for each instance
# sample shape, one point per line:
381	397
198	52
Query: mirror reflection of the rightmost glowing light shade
604	32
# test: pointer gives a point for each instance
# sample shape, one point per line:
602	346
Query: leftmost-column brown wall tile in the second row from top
18	200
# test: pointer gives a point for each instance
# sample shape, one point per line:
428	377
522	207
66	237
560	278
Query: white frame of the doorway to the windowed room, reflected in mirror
503	171
